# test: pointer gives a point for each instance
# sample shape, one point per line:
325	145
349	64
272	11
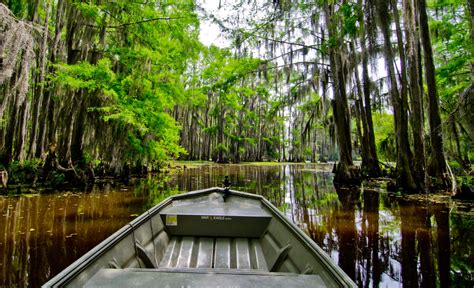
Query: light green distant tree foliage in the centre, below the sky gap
233	95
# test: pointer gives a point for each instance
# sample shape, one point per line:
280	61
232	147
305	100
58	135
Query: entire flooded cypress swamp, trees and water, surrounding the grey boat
353	117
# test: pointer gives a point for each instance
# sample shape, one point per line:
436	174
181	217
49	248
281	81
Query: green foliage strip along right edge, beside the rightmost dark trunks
454	54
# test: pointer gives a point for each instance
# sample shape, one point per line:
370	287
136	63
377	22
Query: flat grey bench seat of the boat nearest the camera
155	278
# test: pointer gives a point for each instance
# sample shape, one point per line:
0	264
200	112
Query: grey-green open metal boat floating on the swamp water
214	237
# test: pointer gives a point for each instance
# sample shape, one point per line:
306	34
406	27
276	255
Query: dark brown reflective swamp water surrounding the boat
380	241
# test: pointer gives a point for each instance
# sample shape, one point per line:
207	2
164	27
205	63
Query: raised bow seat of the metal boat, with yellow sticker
211	216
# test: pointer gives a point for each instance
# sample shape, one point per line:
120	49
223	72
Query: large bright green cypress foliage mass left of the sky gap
138	81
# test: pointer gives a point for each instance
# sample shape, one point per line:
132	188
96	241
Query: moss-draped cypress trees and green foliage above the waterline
116	88
